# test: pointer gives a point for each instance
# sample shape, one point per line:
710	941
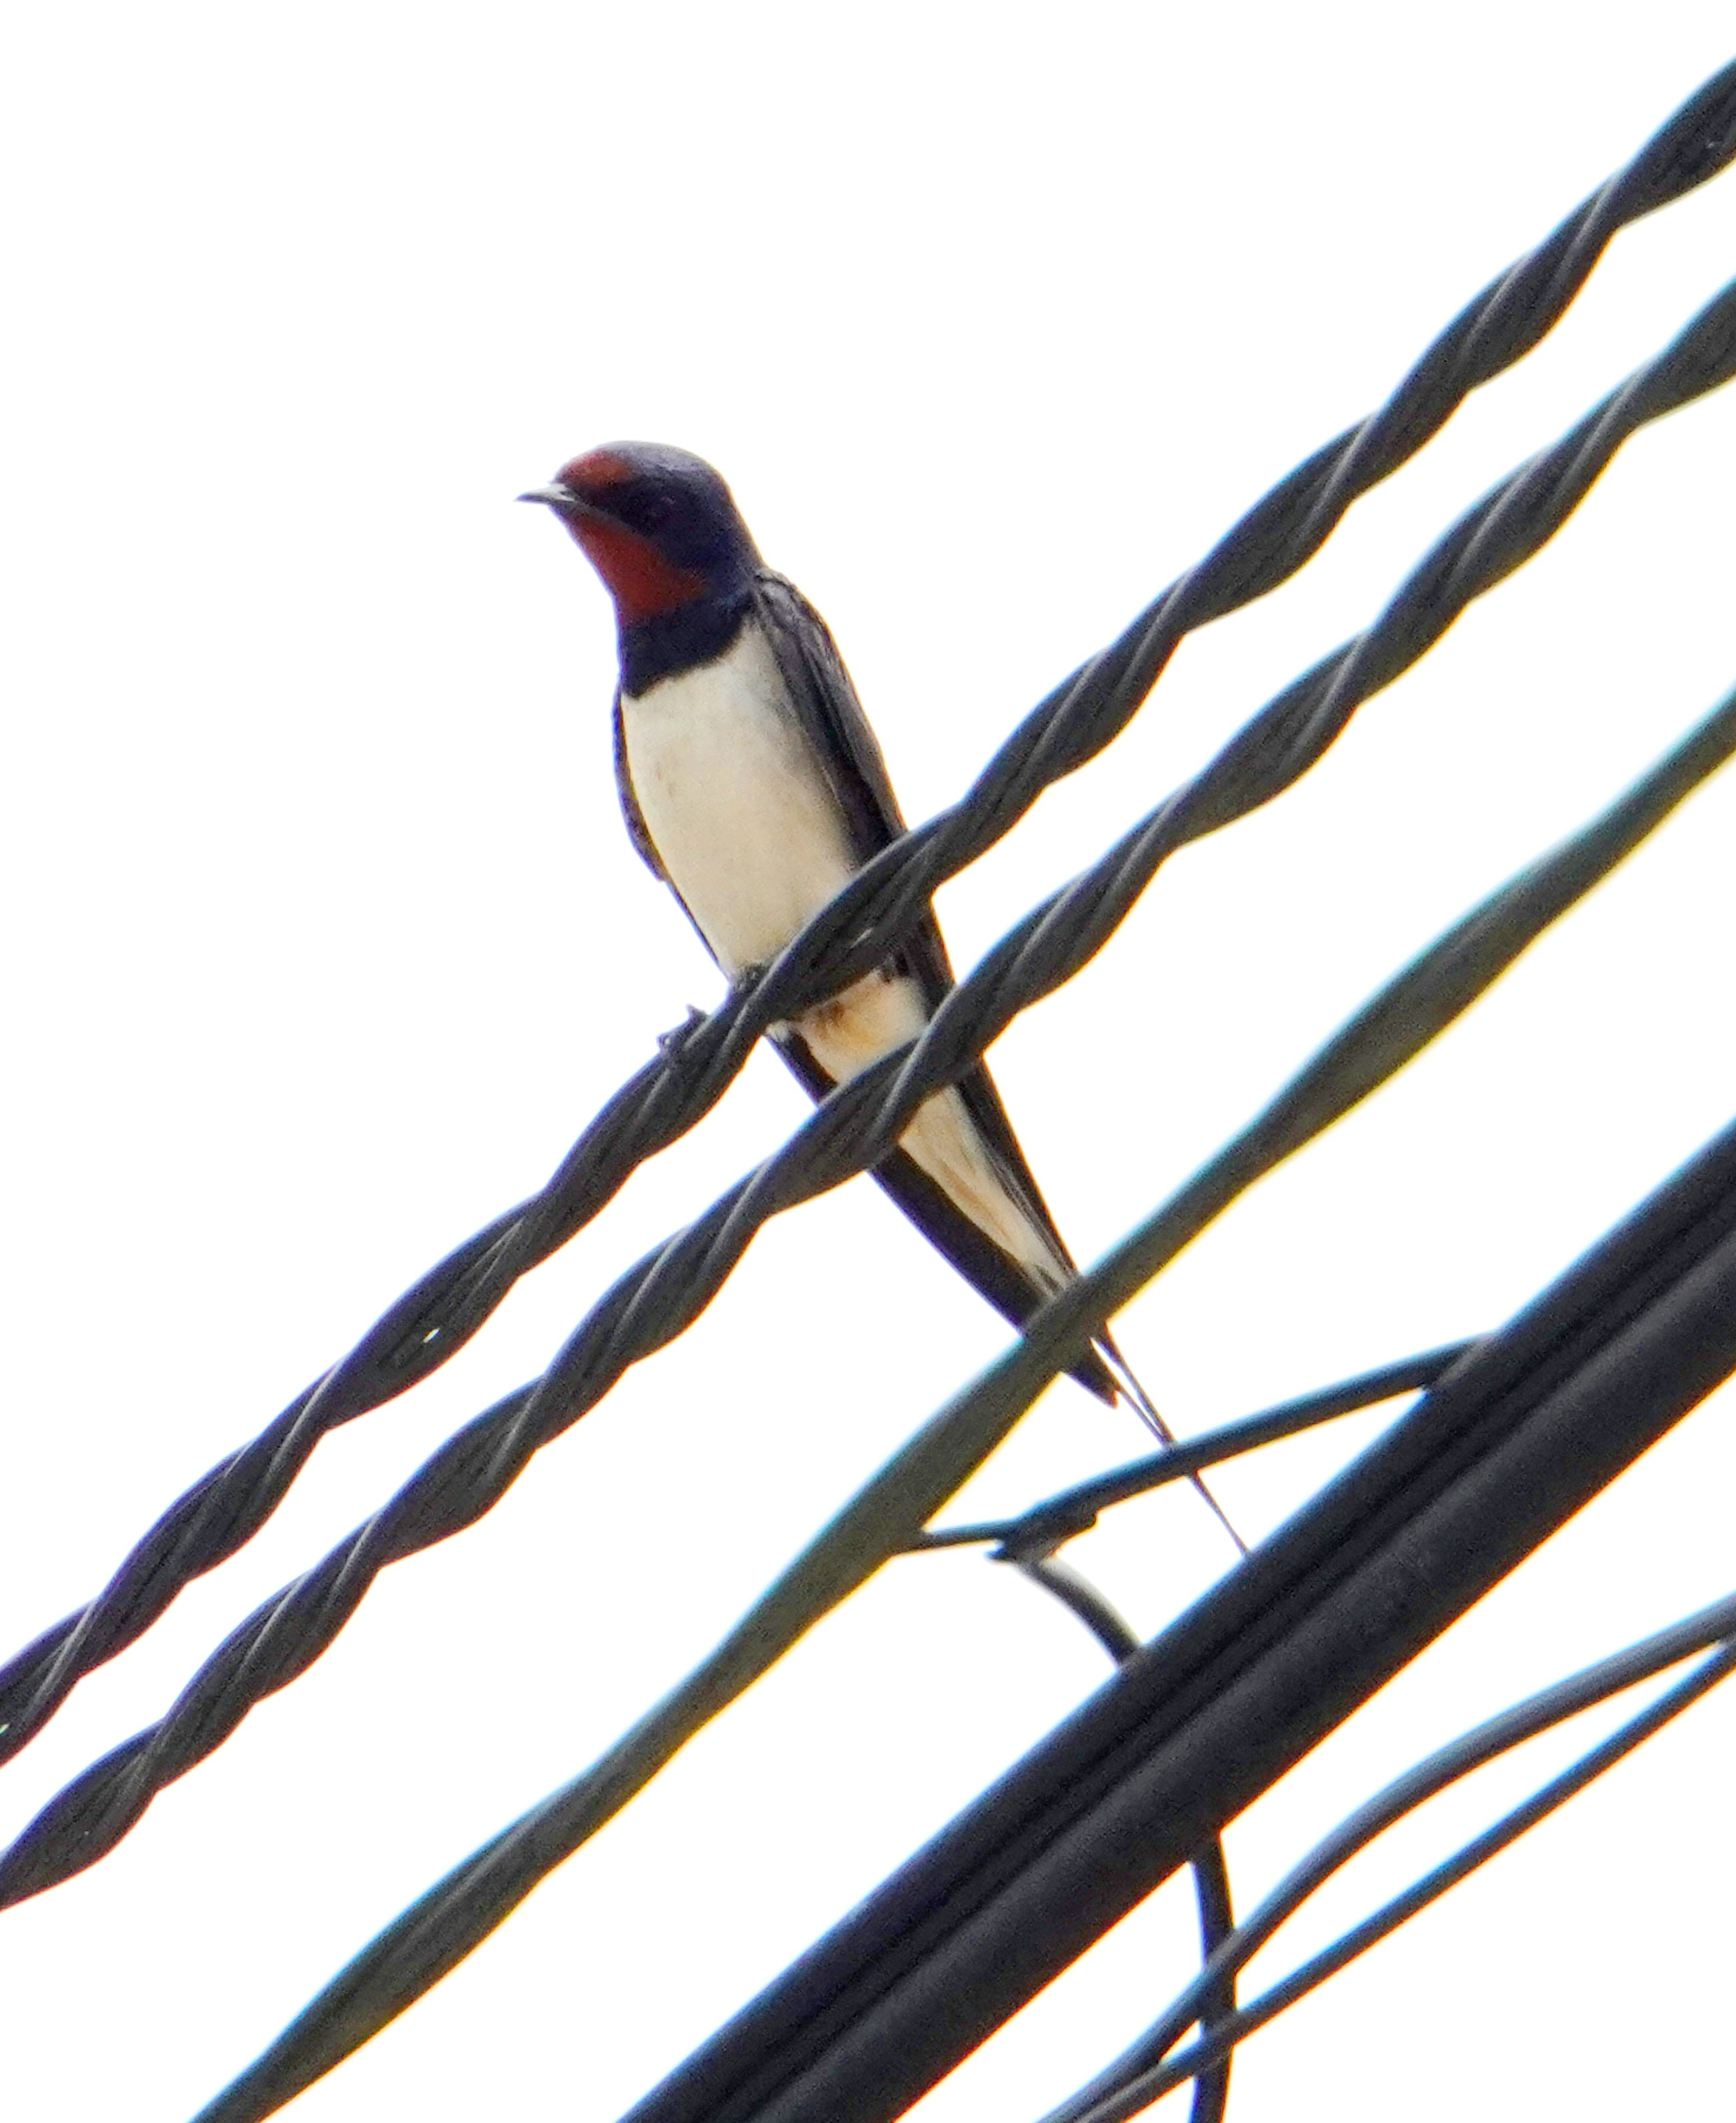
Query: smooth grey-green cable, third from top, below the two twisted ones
459	1912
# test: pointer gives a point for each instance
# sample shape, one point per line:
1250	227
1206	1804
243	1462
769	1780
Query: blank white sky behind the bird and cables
324	942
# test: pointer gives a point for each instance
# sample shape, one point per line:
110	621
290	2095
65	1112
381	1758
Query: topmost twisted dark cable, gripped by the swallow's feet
665	1099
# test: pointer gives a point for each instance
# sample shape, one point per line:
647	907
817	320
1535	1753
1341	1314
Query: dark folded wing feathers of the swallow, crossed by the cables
824	697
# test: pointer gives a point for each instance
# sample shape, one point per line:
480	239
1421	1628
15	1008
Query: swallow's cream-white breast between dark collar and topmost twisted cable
735	804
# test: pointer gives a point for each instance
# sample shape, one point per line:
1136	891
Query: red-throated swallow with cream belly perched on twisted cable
754	789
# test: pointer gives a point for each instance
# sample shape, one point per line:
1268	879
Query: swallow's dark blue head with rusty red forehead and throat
659	525
